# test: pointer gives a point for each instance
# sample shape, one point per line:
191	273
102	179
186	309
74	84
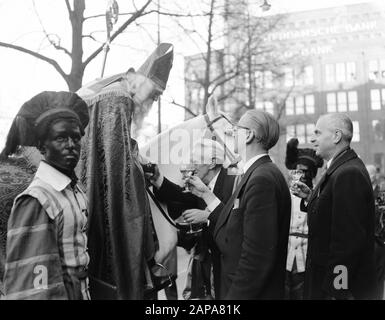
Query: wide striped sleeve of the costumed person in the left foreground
33	267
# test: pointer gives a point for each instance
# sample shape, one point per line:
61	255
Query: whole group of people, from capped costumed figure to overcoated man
76	221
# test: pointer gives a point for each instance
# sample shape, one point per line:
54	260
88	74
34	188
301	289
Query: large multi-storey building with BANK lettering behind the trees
334	61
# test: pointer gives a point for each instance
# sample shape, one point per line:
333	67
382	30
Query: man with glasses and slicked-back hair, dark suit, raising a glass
251	229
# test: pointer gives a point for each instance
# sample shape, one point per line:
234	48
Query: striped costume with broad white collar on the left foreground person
46	242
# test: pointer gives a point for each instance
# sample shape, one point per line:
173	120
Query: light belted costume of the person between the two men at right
297	246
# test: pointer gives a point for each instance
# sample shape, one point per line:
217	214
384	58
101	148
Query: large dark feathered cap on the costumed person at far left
35	116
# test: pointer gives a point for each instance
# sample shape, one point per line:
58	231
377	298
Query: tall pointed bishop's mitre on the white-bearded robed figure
158	65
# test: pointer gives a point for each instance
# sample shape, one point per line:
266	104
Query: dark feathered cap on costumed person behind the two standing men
305	156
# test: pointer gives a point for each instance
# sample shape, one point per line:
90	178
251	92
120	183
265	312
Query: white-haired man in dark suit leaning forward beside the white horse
209	159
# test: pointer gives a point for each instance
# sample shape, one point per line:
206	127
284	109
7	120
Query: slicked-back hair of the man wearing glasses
264	126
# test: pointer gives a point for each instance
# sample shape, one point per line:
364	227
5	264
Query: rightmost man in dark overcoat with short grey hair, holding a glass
340	258
